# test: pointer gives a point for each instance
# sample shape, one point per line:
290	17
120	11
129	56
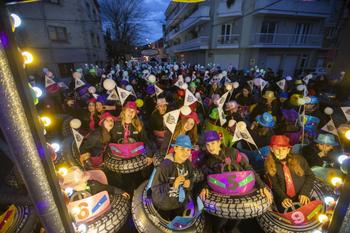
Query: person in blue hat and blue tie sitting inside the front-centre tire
172	183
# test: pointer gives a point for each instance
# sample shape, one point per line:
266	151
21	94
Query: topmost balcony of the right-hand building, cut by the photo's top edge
320	8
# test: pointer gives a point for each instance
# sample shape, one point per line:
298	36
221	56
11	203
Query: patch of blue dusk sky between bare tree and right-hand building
155	17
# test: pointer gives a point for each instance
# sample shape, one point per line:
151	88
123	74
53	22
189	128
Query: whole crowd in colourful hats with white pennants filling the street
279	113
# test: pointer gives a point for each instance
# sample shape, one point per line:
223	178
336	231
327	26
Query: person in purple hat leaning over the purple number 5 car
221	159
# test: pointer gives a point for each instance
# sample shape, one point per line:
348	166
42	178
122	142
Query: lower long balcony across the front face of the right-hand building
272	40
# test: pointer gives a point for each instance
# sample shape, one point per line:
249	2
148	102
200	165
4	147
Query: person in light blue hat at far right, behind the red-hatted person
322	152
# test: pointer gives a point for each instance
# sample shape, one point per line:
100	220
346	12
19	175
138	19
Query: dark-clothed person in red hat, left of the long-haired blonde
95	144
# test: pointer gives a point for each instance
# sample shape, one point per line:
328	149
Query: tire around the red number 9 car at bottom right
269	223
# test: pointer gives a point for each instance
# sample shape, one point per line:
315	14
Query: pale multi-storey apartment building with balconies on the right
286	35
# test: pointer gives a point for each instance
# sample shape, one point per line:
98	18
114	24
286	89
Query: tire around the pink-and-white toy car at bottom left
114	219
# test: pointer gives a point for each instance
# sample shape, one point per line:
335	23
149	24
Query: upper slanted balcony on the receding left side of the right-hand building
200	15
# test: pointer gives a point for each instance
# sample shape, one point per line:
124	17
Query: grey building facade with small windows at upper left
62	35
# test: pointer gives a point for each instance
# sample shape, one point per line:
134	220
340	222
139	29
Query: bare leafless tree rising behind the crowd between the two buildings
124	23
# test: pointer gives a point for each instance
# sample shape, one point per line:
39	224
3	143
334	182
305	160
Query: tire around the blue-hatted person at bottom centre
147	219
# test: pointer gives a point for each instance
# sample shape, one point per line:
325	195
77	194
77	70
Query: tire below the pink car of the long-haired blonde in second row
125	166
